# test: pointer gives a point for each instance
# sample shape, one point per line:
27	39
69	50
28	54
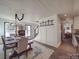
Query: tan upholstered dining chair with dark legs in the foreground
21	48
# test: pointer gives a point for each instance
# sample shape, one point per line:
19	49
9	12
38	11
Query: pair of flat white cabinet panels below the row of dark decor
48	35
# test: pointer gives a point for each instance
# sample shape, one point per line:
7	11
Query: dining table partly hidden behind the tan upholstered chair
10	41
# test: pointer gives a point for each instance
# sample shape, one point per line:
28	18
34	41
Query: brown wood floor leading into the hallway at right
65	50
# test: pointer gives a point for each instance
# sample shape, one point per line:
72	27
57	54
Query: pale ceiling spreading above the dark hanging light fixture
35	9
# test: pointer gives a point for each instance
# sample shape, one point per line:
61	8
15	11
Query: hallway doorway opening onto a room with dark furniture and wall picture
66	28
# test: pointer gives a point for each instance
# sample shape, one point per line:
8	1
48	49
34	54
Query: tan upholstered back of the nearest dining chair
21	45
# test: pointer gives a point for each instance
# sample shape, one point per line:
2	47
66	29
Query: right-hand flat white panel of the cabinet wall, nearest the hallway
51	35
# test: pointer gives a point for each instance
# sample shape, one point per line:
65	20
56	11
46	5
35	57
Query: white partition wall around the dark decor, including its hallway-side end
50	35
